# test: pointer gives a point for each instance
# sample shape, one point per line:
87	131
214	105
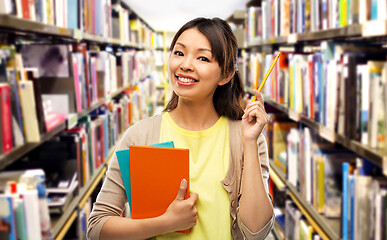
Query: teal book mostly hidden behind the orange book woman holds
124	163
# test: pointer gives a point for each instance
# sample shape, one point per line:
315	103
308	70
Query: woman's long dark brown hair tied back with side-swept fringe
227	98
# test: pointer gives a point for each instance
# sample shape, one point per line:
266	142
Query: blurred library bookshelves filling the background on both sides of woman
75	74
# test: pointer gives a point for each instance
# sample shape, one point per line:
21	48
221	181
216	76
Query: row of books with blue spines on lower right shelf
335	181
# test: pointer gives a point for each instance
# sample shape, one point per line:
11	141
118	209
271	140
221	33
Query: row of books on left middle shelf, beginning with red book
43	85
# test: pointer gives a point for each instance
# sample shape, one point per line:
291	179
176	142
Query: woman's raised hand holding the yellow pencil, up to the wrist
254	119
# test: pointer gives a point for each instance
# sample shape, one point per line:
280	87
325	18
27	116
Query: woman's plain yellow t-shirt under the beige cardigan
209	153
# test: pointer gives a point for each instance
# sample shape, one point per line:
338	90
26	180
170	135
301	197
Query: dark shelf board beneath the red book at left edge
18	152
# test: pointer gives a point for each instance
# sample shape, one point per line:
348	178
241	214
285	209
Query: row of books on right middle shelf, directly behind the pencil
342	87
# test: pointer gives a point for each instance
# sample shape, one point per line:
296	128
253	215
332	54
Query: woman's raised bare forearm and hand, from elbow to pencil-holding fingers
255	208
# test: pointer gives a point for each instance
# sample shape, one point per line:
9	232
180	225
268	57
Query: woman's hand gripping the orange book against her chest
182	213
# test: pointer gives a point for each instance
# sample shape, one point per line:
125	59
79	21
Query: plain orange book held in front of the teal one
155	176
